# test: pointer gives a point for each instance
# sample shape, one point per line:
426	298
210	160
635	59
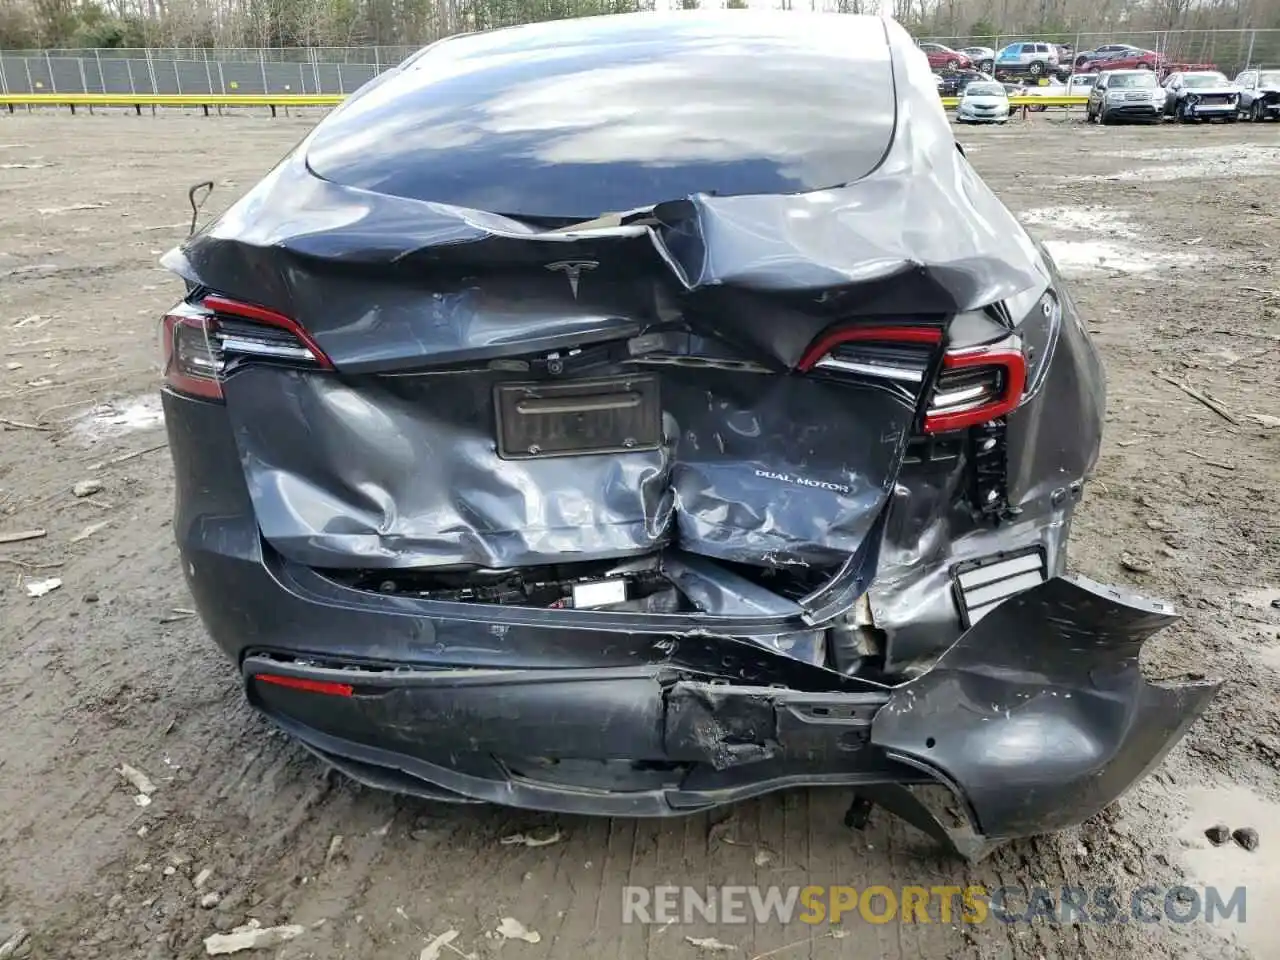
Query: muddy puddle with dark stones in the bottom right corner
1231	866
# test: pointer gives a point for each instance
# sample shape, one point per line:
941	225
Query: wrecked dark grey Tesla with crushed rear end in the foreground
633	415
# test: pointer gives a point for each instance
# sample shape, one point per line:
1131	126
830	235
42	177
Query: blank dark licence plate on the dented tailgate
578	418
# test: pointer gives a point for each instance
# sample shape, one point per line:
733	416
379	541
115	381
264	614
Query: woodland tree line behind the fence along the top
209	24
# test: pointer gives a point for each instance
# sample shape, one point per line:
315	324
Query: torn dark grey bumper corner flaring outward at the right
1040	715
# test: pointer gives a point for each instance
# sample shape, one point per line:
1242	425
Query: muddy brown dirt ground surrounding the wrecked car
1172	239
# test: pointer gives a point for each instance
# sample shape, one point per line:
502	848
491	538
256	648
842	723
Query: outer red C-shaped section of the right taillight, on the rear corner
975	387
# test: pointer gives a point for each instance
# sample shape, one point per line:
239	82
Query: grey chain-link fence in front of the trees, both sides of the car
326	70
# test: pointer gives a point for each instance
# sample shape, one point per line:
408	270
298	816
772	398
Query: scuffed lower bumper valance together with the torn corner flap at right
1036	719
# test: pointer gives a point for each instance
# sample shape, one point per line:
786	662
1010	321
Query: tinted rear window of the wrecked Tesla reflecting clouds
580	118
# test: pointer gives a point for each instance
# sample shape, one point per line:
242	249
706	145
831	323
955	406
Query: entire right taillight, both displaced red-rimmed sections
975	386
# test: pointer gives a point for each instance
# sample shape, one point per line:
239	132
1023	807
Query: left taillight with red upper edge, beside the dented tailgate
203	342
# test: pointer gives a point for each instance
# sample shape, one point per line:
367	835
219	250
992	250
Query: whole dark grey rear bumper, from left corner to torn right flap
1036	719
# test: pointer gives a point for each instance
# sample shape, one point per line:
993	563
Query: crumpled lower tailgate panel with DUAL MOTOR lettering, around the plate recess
405	473
